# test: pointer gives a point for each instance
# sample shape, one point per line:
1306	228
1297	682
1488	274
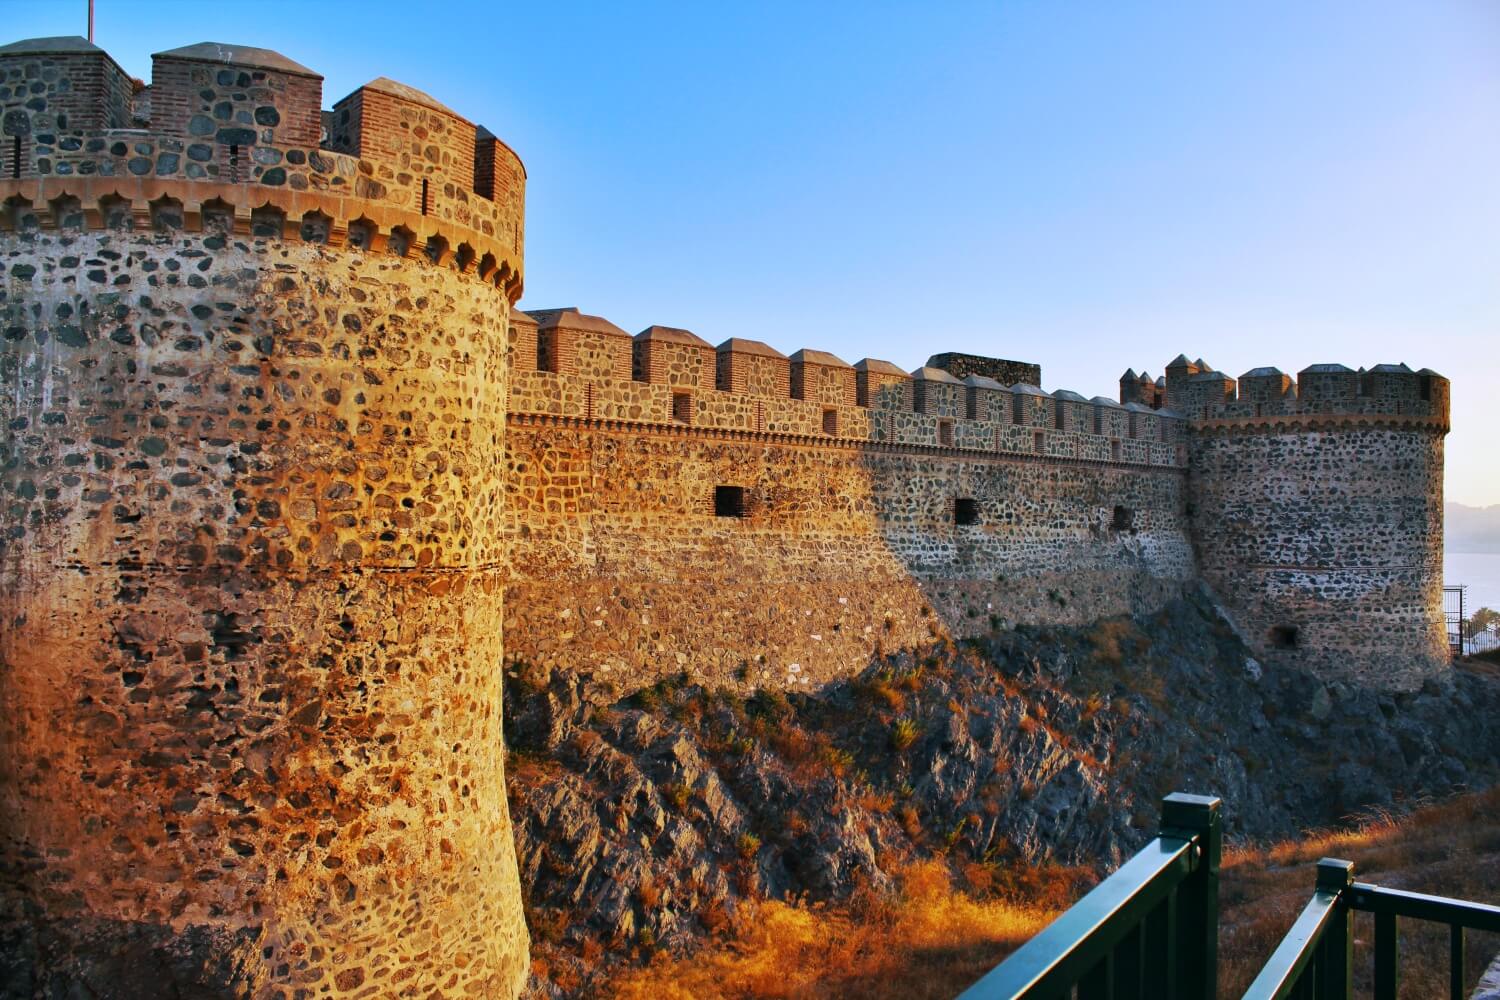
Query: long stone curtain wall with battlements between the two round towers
757	519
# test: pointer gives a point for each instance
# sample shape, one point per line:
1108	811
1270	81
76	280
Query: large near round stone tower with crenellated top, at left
250	549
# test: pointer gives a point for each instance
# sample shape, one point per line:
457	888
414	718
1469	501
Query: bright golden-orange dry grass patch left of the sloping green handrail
926	942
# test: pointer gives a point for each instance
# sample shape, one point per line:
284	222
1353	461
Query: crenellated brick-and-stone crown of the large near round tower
244	128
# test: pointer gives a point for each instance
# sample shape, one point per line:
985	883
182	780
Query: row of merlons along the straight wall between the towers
572	365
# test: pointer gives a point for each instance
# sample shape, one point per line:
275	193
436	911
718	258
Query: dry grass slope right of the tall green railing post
1448	849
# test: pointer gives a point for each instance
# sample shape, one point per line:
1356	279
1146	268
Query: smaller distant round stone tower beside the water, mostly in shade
1318	516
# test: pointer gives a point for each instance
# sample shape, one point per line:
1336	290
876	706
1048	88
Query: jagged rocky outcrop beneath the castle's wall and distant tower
644	821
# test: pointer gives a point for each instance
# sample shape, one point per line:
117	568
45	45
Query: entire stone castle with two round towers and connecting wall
284	464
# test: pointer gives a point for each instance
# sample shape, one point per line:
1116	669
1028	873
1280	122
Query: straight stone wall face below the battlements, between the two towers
620	566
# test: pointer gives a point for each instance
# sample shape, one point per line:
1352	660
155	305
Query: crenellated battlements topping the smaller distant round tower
1214	400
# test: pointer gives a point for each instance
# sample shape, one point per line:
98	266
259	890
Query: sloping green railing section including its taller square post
1147	933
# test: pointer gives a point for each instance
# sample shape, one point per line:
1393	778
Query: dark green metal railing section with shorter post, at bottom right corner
1315	960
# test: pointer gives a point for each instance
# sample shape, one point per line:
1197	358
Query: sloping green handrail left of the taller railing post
1075	942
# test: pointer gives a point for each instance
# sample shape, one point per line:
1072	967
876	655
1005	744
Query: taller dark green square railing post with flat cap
1187	818
